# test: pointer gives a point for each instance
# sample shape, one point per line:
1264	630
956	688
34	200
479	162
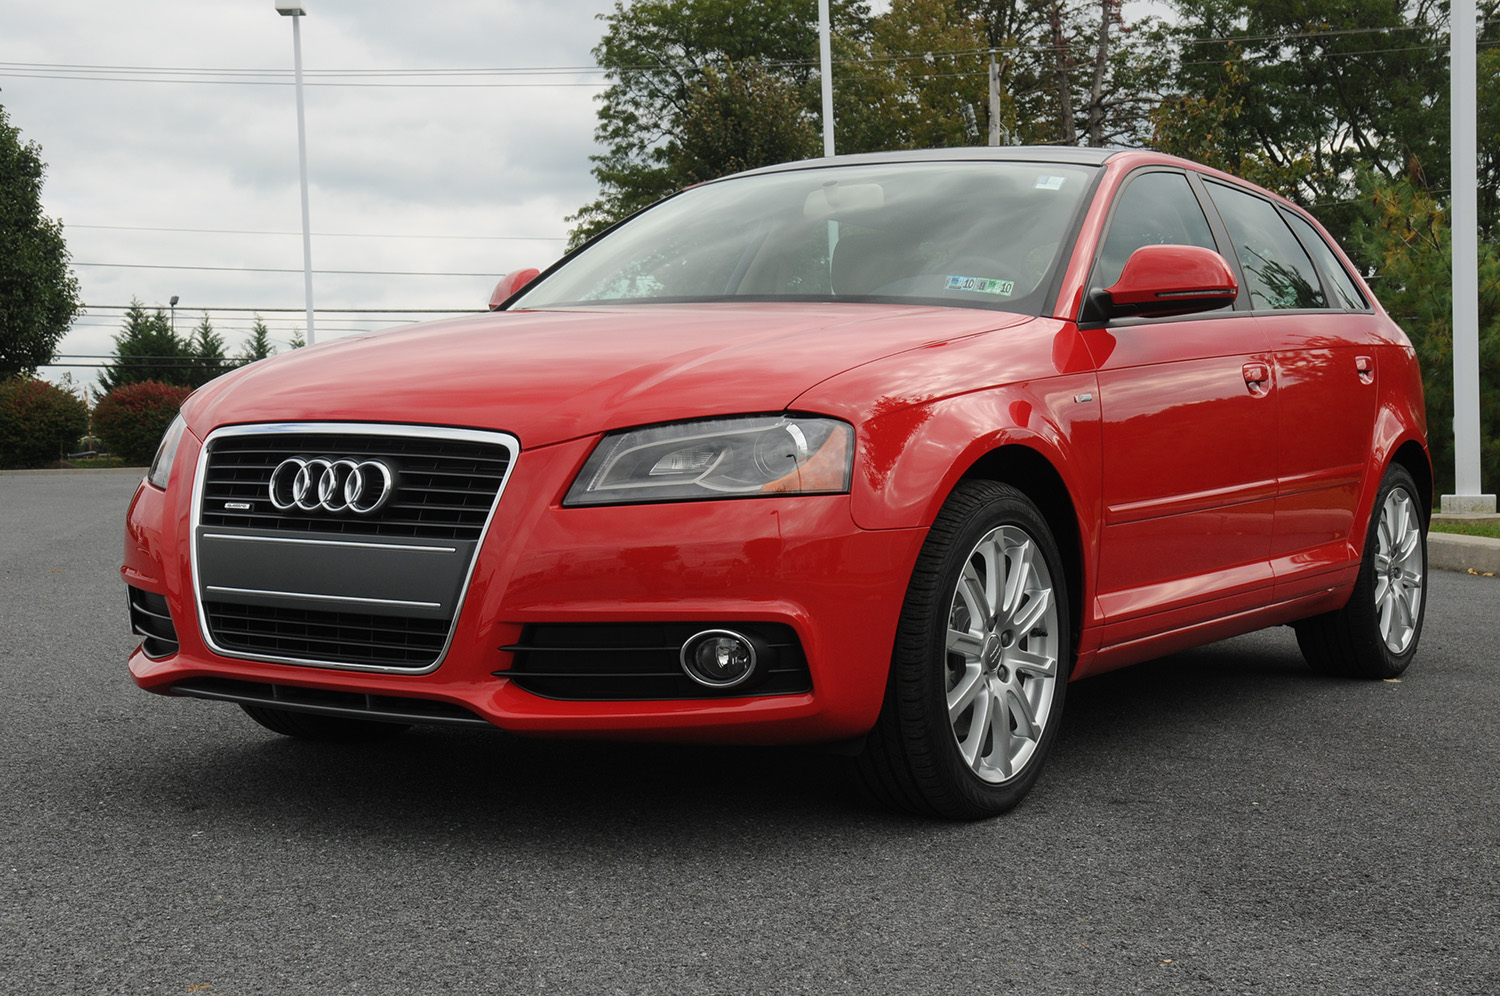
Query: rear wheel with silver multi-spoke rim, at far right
1376	635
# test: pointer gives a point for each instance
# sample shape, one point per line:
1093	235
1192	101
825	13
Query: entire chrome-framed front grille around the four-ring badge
332	587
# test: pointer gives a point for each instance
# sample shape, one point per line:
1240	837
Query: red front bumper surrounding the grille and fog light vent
788	562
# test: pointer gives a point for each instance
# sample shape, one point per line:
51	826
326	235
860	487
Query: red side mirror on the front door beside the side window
1171	281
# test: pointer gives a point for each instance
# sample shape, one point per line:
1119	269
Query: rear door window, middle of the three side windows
1279	272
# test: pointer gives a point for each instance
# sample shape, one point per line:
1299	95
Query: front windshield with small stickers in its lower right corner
970	235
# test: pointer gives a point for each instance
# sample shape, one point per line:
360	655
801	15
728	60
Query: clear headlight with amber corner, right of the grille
721	458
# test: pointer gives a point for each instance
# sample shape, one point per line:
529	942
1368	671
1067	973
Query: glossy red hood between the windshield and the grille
562	374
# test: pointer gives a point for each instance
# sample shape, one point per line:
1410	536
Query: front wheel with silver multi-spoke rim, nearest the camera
985	628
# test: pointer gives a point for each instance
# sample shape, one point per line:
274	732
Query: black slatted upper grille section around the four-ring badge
446	487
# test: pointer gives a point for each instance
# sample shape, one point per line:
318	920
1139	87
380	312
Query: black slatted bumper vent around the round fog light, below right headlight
641	661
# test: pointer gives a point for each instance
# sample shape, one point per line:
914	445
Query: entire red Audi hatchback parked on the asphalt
880	451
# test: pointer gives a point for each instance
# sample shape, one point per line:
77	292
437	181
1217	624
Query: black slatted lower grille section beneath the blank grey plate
356	638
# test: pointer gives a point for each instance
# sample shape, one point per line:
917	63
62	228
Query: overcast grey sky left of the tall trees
187	184
